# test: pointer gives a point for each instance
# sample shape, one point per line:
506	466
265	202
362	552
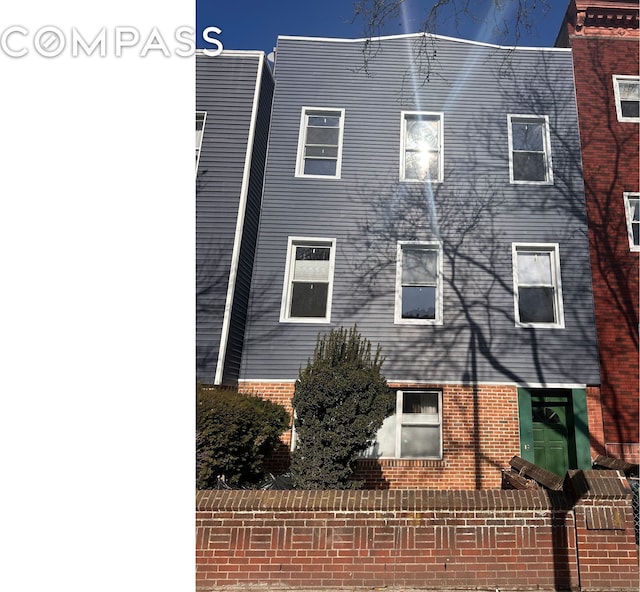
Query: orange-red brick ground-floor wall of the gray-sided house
480	435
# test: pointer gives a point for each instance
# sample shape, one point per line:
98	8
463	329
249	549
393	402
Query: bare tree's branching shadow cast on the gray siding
477	214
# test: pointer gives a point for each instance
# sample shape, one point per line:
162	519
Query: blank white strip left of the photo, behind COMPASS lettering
97	294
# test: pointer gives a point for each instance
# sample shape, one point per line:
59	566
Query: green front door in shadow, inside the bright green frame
550	434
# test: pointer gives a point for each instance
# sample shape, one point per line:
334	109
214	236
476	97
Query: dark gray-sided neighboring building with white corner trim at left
233	105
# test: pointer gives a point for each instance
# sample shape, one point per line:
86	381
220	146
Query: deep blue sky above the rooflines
256	25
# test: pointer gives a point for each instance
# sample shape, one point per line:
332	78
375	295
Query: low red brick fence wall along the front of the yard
579	539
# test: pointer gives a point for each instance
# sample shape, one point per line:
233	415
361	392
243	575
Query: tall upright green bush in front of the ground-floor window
341	400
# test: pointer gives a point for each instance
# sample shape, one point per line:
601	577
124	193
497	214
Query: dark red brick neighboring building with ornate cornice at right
604	38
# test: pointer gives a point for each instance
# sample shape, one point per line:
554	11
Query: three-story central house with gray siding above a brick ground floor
435	200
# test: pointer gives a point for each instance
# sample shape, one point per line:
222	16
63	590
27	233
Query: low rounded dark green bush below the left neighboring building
234	432
